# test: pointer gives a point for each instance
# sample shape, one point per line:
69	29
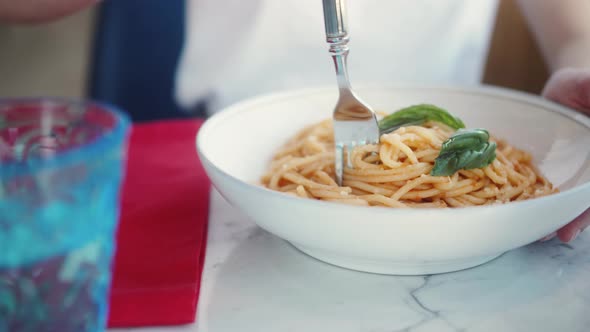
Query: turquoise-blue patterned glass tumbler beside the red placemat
61	167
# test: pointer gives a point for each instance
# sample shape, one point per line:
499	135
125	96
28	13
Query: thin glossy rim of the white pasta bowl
487	90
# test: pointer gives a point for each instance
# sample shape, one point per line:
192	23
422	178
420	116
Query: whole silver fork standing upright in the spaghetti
354	122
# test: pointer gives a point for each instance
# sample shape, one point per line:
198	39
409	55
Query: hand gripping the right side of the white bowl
571	87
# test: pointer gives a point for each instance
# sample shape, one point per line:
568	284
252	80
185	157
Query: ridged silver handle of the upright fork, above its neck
335	21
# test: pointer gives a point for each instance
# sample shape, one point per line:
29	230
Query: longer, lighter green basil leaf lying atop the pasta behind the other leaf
417	115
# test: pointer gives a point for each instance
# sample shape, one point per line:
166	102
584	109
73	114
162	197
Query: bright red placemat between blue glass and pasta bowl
163	228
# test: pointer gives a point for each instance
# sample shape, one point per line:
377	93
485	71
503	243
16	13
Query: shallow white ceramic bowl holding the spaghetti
237	144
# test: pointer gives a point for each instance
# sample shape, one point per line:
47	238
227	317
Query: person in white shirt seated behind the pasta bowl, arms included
236	49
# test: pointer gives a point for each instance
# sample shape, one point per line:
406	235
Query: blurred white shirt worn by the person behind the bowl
236	49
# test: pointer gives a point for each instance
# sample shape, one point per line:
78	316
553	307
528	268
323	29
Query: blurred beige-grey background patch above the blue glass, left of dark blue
48	59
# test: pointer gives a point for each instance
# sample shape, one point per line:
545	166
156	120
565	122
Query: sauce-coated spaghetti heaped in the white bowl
396	172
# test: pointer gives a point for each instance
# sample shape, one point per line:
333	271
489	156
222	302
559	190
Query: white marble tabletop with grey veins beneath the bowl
254	281
